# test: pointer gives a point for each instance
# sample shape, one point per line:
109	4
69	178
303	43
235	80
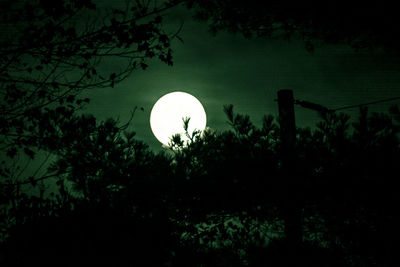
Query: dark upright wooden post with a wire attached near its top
291	207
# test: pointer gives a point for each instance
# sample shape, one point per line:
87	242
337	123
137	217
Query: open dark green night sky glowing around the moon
229	69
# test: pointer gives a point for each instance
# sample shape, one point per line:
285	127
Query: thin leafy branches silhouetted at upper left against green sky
51	51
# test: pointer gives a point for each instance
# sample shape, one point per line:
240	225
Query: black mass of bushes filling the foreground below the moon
219	200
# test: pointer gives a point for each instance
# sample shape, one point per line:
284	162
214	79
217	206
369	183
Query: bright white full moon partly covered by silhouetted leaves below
167	114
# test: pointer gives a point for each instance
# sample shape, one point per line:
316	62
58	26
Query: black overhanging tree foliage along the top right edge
366	25
